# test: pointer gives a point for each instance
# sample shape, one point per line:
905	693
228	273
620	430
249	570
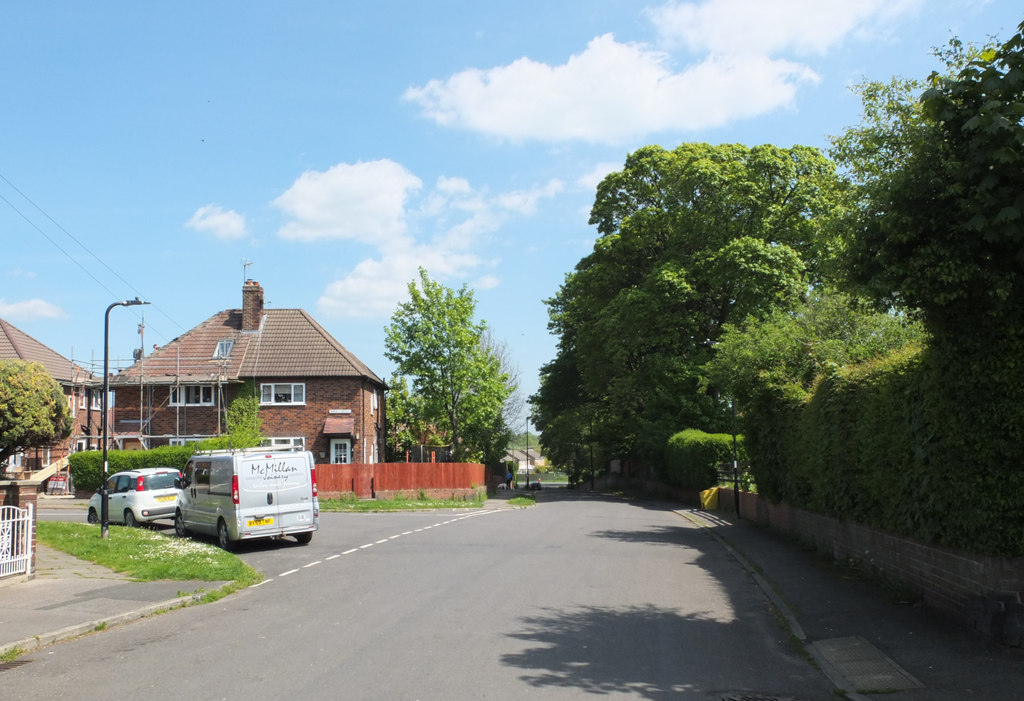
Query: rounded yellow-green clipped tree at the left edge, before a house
33	410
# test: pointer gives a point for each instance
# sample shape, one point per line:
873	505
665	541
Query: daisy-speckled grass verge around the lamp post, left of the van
146	555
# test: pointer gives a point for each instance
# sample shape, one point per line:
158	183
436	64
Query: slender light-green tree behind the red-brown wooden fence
435	341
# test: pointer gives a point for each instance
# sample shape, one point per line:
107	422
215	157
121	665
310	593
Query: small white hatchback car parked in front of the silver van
138	497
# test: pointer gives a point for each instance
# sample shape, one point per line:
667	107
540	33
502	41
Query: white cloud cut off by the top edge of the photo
767	28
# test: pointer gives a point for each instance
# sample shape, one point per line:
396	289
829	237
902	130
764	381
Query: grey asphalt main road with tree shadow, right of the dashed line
574	598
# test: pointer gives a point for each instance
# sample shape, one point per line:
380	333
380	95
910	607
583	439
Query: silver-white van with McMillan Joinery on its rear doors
251	494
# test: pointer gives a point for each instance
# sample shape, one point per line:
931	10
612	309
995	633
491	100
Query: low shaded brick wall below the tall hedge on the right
985	592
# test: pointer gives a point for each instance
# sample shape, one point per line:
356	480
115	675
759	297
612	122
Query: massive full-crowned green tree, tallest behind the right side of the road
690	240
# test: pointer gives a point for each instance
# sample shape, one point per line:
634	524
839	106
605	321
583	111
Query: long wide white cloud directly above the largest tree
611	93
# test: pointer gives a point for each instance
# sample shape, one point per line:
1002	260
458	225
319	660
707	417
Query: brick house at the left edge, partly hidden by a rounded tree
82	390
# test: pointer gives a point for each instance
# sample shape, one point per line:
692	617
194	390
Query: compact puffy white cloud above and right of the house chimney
363	202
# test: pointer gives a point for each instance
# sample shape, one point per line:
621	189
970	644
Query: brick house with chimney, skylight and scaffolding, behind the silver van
314	392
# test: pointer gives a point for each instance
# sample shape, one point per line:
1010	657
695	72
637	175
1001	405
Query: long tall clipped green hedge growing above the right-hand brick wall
920	445
